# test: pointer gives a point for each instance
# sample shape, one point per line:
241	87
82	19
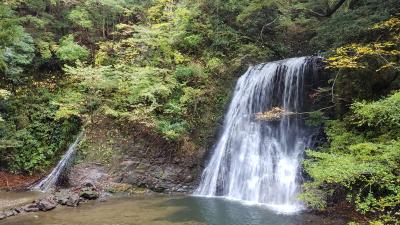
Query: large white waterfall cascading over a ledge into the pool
254	160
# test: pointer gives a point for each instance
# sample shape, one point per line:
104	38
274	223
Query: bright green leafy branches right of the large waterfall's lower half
363	159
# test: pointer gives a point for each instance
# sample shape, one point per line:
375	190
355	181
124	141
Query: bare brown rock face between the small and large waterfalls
127	154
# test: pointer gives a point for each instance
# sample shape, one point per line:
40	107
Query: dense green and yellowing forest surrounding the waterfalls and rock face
168	66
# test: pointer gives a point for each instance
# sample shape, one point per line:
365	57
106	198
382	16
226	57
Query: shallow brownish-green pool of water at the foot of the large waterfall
166	210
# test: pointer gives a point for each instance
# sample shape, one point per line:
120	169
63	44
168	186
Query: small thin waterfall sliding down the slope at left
50	180
